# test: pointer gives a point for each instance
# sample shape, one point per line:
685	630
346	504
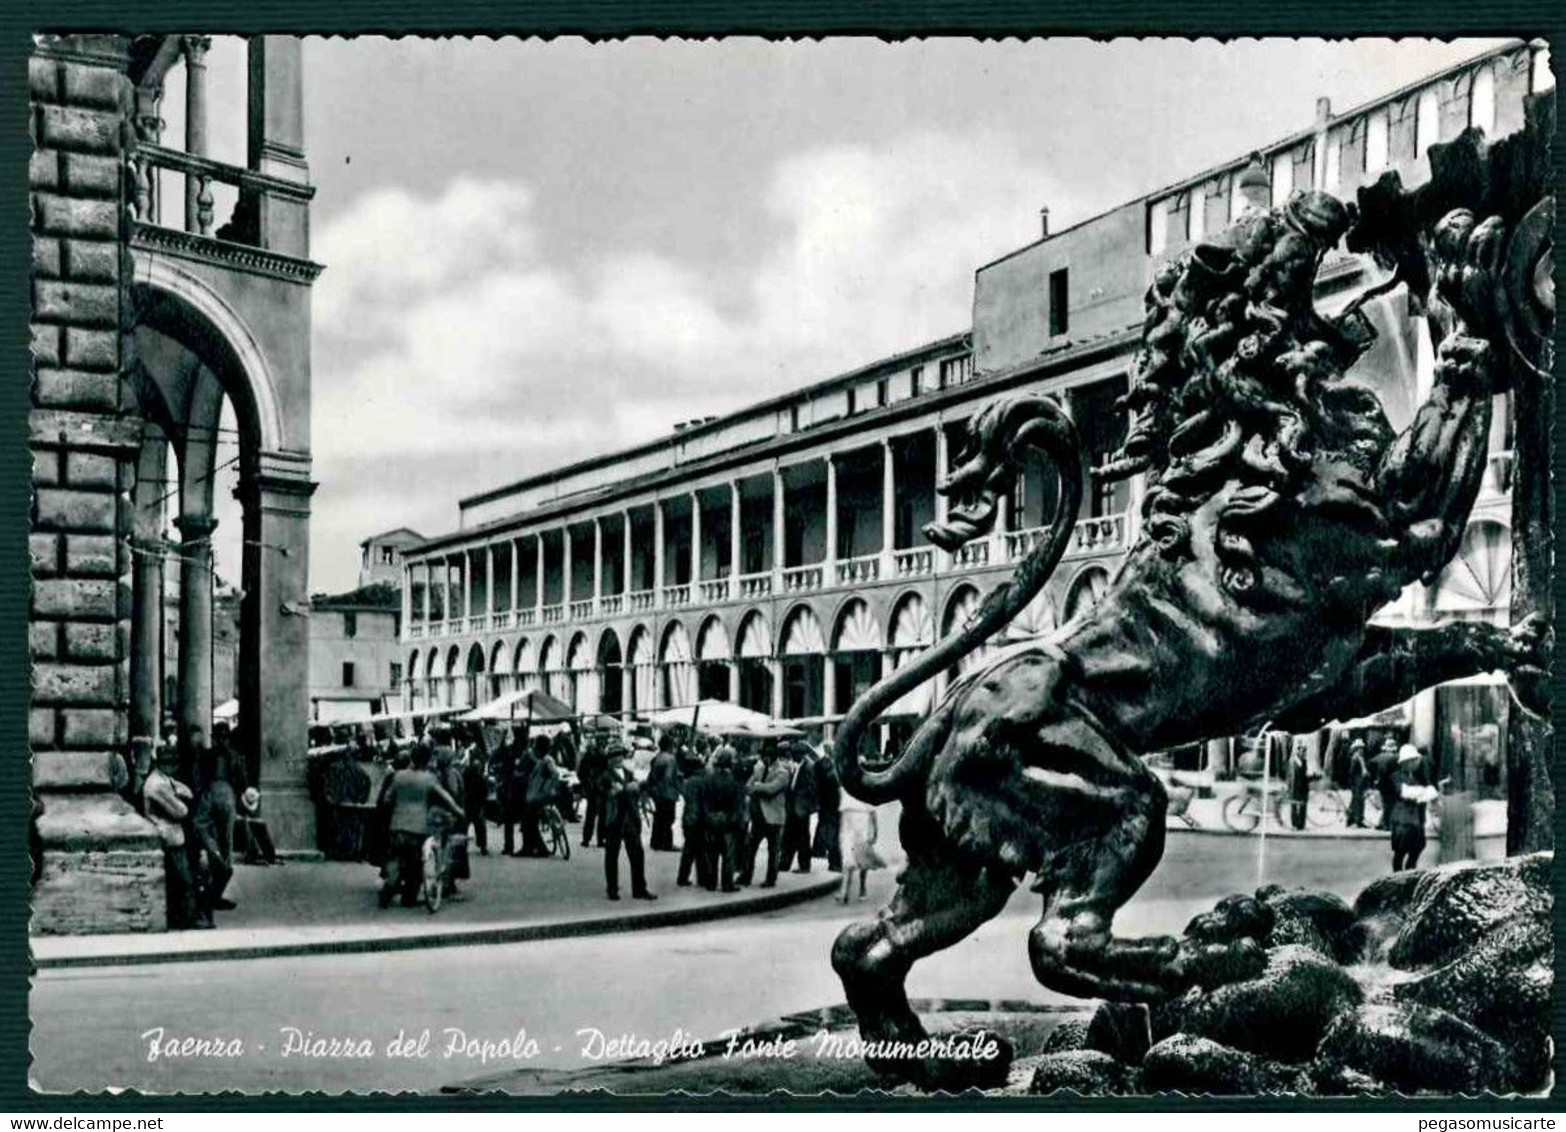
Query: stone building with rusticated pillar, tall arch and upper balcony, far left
145	322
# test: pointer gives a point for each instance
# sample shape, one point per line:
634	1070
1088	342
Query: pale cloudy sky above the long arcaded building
541	251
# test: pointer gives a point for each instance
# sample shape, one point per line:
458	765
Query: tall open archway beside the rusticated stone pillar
225	403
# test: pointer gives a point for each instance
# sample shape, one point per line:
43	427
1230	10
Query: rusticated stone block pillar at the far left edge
101	862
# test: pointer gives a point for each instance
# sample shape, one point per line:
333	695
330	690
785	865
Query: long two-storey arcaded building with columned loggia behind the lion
774	557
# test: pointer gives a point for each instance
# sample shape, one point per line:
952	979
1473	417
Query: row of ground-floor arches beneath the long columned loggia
579	671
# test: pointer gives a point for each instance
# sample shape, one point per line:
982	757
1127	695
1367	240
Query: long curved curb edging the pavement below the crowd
469	937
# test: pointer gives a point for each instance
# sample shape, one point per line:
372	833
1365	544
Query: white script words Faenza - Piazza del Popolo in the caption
450	1044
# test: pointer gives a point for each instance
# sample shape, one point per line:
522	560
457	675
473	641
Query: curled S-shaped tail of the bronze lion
986	467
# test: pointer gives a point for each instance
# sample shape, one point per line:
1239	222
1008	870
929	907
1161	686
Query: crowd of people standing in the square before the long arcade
729	801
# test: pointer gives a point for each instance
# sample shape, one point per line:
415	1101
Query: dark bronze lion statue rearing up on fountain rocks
1280	514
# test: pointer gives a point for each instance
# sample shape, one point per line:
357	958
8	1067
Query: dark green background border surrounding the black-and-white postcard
20	20
